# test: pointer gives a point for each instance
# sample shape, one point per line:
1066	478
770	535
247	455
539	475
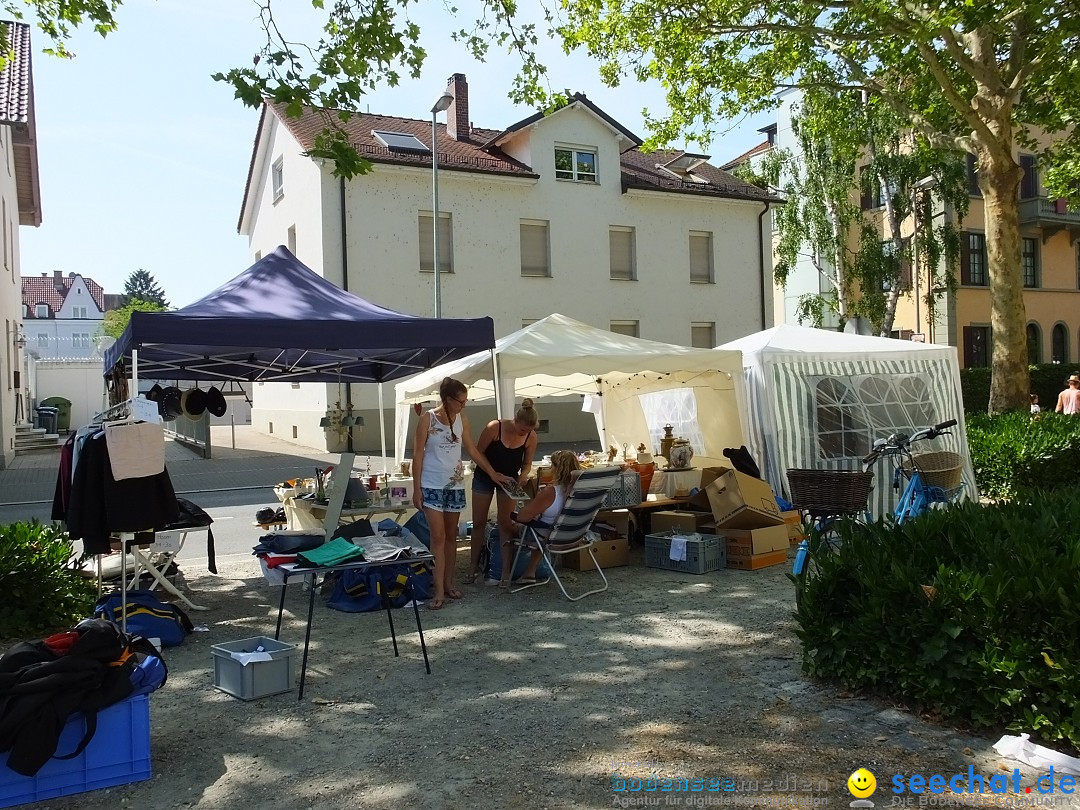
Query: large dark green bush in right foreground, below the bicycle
969	612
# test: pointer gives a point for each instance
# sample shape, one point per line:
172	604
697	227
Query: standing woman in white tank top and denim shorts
439	480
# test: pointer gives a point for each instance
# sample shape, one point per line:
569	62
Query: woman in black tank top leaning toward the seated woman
509	447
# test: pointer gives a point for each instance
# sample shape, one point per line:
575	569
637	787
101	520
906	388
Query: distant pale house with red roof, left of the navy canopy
62	315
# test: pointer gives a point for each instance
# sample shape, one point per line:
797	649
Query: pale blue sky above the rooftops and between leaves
143	157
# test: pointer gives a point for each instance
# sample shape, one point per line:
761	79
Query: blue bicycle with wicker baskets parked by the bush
842	495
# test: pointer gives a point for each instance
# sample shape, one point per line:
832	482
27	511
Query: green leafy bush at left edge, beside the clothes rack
43	590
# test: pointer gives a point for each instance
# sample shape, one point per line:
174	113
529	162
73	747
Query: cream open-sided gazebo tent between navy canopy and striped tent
560	357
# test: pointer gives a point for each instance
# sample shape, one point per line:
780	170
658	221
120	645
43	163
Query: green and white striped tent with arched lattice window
819	399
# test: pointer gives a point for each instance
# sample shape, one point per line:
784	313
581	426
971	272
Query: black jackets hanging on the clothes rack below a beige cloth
100	505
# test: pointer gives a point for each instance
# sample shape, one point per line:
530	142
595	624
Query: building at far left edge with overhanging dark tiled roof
20	205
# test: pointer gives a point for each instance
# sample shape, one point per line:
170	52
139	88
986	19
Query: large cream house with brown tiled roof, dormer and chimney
552	214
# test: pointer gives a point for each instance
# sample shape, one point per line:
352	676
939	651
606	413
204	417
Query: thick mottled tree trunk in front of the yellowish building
1000	178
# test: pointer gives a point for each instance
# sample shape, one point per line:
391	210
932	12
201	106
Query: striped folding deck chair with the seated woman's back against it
569	536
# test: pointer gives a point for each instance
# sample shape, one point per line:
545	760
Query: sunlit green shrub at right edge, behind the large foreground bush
1012	453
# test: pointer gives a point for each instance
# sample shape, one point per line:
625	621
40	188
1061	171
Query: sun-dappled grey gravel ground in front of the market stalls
533	701
